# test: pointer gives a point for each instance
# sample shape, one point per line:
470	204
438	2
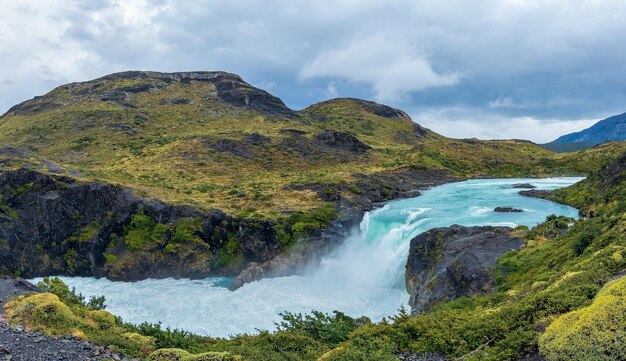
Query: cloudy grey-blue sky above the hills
487	69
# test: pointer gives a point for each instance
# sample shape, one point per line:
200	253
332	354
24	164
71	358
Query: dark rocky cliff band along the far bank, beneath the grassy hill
55	225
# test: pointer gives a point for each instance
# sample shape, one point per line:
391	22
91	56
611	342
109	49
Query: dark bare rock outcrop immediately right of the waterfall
448	263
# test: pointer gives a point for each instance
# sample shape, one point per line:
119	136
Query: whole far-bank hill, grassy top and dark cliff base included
145	174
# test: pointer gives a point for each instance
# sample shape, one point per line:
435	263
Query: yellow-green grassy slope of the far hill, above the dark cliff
167	151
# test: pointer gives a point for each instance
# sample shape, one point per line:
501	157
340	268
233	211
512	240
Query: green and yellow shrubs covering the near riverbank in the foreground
558	283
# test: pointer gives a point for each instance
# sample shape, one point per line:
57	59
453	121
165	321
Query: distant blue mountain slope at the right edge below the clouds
609	129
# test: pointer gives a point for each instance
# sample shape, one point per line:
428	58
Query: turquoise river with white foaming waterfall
364	276
